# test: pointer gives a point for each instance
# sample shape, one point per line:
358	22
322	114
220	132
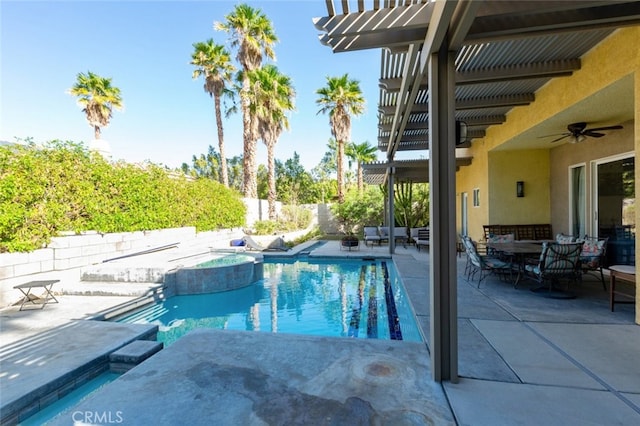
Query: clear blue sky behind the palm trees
145	47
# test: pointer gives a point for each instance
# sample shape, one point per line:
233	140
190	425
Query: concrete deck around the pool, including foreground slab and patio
523	359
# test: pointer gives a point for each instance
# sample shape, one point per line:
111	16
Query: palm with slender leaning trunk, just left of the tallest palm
214	63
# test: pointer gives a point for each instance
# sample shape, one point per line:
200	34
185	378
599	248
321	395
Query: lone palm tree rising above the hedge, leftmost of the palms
98	98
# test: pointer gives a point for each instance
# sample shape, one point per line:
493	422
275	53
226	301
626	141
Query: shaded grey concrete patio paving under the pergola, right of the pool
527	359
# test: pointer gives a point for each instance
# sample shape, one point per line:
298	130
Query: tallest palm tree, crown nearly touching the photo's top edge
253	35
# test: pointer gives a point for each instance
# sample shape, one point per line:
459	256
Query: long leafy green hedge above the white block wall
64	187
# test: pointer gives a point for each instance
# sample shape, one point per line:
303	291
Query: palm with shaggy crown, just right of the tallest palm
271	98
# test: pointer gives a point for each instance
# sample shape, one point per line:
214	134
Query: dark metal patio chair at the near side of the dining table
556	261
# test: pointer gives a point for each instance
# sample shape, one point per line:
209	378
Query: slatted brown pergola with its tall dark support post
444	62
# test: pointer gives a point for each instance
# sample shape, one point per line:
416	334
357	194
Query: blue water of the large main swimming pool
330	297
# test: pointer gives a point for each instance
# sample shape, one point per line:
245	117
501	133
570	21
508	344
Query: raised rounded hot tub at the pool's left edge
222	273
